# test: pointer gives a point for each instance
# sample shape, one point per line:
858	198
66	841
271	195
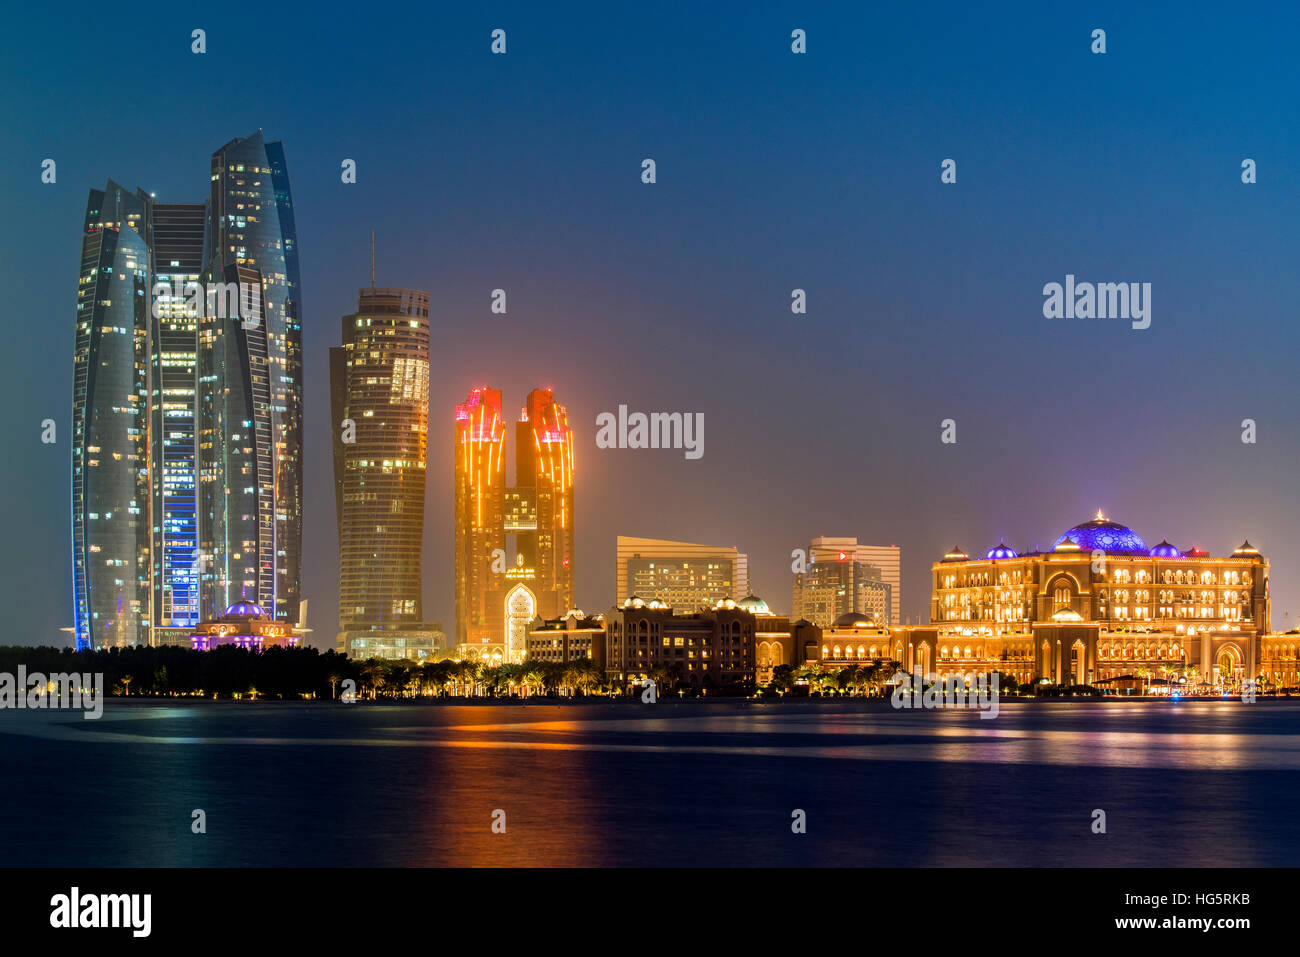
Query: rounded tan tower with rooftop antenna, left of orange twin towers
380	404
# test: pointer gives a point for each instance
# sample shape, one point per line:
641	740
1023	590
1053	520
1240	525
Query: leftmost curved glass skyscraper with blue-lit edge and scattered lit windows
111	490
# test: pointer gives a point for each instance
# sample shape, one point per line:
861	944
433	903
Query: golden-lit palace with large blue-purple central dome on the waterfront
1099	605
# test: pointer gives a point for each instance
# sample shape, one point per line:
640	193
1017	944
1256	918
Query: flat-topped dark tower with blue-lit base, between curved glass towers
177	265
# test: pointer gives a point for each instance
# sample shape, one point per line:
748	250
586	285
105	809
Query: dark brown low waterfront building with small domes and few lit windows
712	649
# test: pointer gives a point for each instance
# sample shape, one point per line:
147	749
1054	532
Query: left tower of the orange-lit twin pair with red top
480	479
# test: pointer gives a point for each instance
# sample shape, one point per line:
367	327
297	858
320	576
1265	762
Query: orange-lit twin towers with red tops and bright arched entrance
499	599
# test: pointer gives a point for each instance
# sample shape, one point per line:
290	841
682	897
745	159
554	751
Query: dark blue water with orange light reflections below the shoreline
675	783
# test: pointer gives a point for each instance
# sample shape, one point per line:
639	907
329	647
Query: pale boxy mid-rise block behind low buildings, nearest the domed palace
838	582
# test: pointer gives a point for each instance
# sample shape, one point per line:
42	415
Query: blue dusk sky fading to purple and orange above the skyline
774	172
